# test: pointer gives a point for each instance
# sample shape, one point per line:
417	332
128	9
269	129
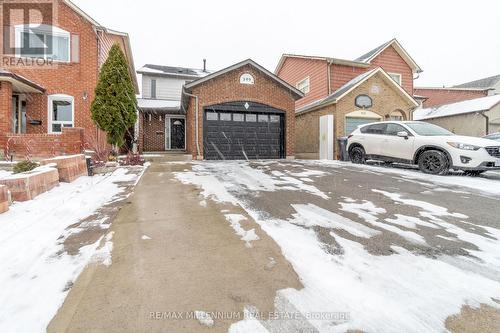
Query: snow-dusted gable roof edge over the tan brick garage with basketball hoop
350	86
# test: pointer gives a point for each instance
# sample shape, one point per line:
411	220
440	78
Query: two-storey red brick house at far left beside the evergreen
45	97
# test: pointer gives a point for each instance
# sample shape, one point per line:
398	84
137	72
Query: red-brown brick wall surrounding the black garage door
227	88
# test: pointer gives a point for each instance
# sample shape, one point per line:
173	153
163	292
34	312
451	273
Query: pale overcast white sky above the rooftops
452	41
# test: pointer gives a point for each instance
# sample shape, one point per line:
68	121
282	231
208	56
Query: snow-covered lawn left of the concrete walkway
36	272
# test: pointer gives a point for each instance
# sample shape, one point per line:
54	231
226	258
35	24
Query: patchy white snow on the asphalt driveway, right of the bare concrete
403	291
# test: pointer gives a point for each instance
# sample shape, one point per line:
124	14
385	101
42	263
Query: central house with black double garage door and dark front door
240	112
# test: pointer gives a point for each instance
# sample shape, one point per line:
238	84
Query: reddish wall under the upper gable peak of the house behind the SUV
391	62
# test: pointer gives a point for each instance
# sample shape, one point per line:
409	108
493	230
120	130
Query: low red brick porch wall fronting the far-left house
70	141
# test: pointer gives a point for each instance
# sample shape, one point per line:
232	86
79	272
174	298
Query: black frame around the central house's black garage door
246	107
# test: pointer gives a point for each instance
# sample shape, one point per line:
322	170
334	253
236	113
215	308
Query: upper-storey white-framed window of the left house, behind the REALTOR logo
42	41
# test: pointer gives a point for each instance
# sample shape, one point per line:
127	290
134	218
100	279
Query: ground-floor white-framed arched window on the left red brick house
61	112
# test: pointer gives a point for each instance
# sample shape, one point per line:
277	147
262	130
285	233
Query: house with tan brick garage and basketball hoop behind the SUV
376	86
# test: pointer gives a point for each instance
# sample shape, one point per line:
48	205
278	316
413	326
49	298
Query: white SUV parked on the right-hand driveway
434	149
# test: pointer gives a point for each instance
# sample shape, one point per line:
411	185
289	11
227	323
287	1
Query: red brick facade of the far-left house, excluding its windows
77	79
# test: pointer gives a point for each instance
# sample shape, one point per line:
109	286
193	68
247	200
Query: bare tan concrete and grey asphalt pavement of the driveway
202	255
